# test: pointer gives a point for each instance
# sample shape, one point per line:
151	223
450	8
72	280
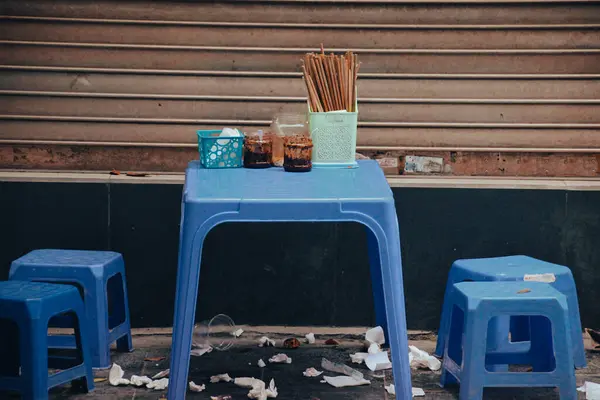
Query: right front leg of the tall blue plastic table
393	289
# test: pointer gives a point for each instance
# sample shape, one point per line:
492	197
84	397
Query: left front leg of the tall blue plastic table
188	274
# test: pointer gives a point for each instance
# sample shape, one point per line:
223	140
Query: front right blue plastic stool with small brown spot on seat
466	355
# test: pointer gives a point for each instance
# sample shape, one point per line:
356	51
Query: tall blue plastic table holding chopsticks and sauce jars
212	197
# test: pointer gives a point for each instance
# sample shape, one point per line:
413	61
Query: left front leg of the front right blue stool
474	350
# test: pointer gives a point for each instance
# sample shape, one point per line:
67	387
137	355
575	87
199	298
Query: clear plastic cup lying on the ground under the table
217	332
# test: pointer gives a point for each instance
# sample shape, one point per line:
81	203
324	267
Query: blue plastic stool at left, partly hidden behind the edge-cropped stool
106	304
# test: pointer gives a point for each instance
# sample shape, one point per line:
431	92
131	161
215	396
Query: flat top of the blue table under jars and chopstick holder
364	183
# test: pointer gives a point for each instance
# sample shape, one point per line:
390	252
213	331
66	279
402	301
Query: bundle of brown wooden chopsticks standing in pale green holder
330	81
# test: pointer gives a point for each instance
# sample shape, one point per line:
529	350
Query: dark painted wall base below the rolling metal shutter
303	274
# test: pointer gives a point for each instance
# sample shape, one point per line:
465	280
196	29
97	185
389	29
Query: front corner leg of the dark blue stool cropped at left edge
34	359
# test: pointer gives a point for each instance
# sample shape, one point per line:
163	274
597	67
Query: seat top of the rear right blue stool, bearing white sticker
510	266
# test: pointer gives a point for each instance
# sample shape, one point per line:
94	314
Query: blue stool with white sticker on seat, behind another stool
514	268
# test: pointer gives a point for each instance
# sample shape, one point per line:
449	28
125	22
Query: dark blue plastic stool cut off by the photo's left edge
24	366
